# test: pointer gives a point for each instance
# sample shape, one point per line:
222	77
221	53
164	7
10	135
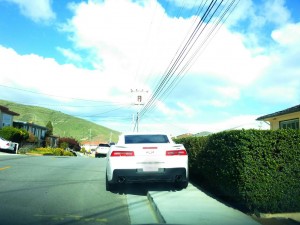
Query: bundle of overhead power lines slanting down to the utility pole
185	58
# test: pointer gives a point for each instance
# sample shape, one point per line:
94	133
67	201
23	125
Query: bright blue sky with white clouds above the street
202	65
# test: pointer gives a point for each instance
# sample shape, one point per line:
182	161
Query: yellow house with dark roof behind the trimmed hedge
287	118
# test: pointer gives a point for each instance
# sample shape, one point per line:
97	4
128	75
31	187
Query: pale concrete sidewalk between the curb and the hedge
192	206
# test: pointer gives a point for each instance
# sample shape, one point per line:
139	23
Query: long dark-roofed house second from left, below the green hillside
38	131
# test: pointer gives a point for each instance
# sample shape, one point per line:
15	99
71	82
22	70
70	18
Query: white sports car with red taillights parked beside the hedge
146	158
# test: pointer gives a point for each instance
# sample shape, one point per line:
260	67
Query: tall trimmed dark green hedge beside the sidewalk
257	169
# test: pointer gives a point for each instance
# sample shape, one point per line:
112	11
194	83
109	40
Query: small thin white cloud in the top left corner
36	10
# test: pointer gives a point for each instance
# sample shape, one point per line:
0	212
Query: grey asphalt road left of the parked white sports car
57	190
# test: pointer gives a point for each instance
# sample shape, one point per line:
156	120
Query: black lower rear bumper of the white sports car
139	176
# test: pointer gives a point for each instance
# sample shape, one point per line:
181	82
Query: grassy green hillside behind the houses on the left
63	125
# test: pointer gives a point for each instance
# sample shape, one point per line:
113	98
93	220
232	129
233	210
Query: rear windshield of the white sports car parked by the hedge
146	139
